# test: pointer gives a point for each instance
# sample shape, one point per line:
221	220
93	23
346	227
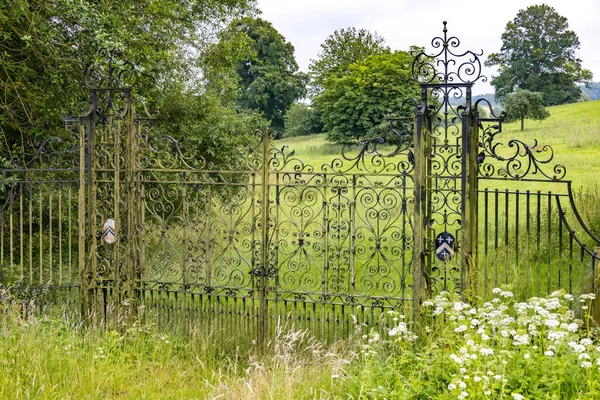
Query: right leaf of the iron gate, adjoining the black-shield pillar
342	235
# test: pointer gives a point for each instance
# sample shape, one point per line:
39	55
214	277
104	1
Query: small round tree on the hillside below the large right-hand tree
523	104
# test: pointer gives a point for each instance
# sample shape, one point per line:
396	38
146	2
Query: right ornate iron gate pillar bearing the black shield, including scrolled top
446	147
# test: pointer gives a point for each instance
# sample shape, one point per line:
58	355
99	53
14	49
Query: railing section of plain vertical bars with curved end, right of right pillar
531	241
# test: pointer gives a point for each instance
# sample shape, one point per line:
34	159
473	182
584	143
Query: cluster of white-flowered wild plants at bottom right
489	346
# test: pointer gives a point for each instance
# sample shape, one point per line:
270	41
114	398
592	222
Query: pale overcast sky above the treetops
478	24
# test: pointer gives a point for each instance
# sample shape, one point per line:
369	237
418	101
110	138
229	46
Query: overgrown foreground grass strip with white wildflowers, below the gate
500	349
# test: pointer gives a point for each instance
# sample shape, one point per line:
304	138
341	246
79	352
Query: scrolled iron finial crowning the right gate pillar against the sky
452	69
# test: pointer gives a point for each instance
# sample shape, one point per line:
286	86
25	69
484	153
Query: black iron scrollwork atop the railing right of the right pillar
522	159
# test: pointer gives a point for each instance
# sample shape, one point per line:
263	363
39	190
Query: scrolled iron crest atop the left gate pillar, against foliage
110	70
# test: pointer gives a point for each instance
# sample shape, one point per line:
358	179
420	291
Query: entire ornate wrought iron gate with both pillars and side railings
442	205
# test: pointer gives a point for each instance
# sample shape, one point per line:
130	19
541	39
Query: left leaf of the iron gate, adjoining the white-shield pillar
200	236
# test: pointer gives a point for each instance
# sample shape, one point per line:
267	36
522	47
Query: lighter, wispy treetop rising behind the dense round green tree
340	50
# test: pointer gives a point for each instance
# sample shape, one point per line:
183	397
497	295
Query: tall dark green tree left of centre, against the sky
268	74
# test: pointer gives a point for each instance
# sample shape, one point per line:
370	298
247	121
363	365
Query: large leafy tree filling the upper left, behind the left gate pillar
46	45
